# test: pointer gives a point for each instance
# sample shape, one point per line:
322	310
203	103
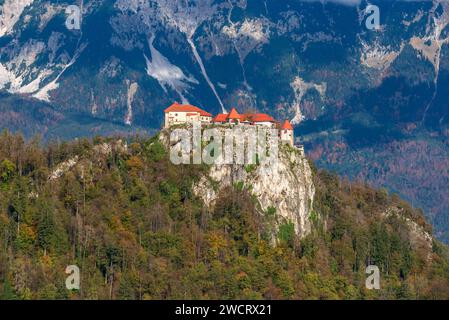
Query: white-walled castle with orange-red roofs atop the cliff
183	113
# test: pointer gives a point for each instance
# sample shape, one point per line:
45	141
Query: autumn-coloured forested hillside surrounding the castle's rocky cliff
129	219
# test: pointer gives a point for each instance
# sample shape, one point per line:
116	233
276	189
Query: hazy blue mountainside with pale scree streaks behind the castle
370	104
